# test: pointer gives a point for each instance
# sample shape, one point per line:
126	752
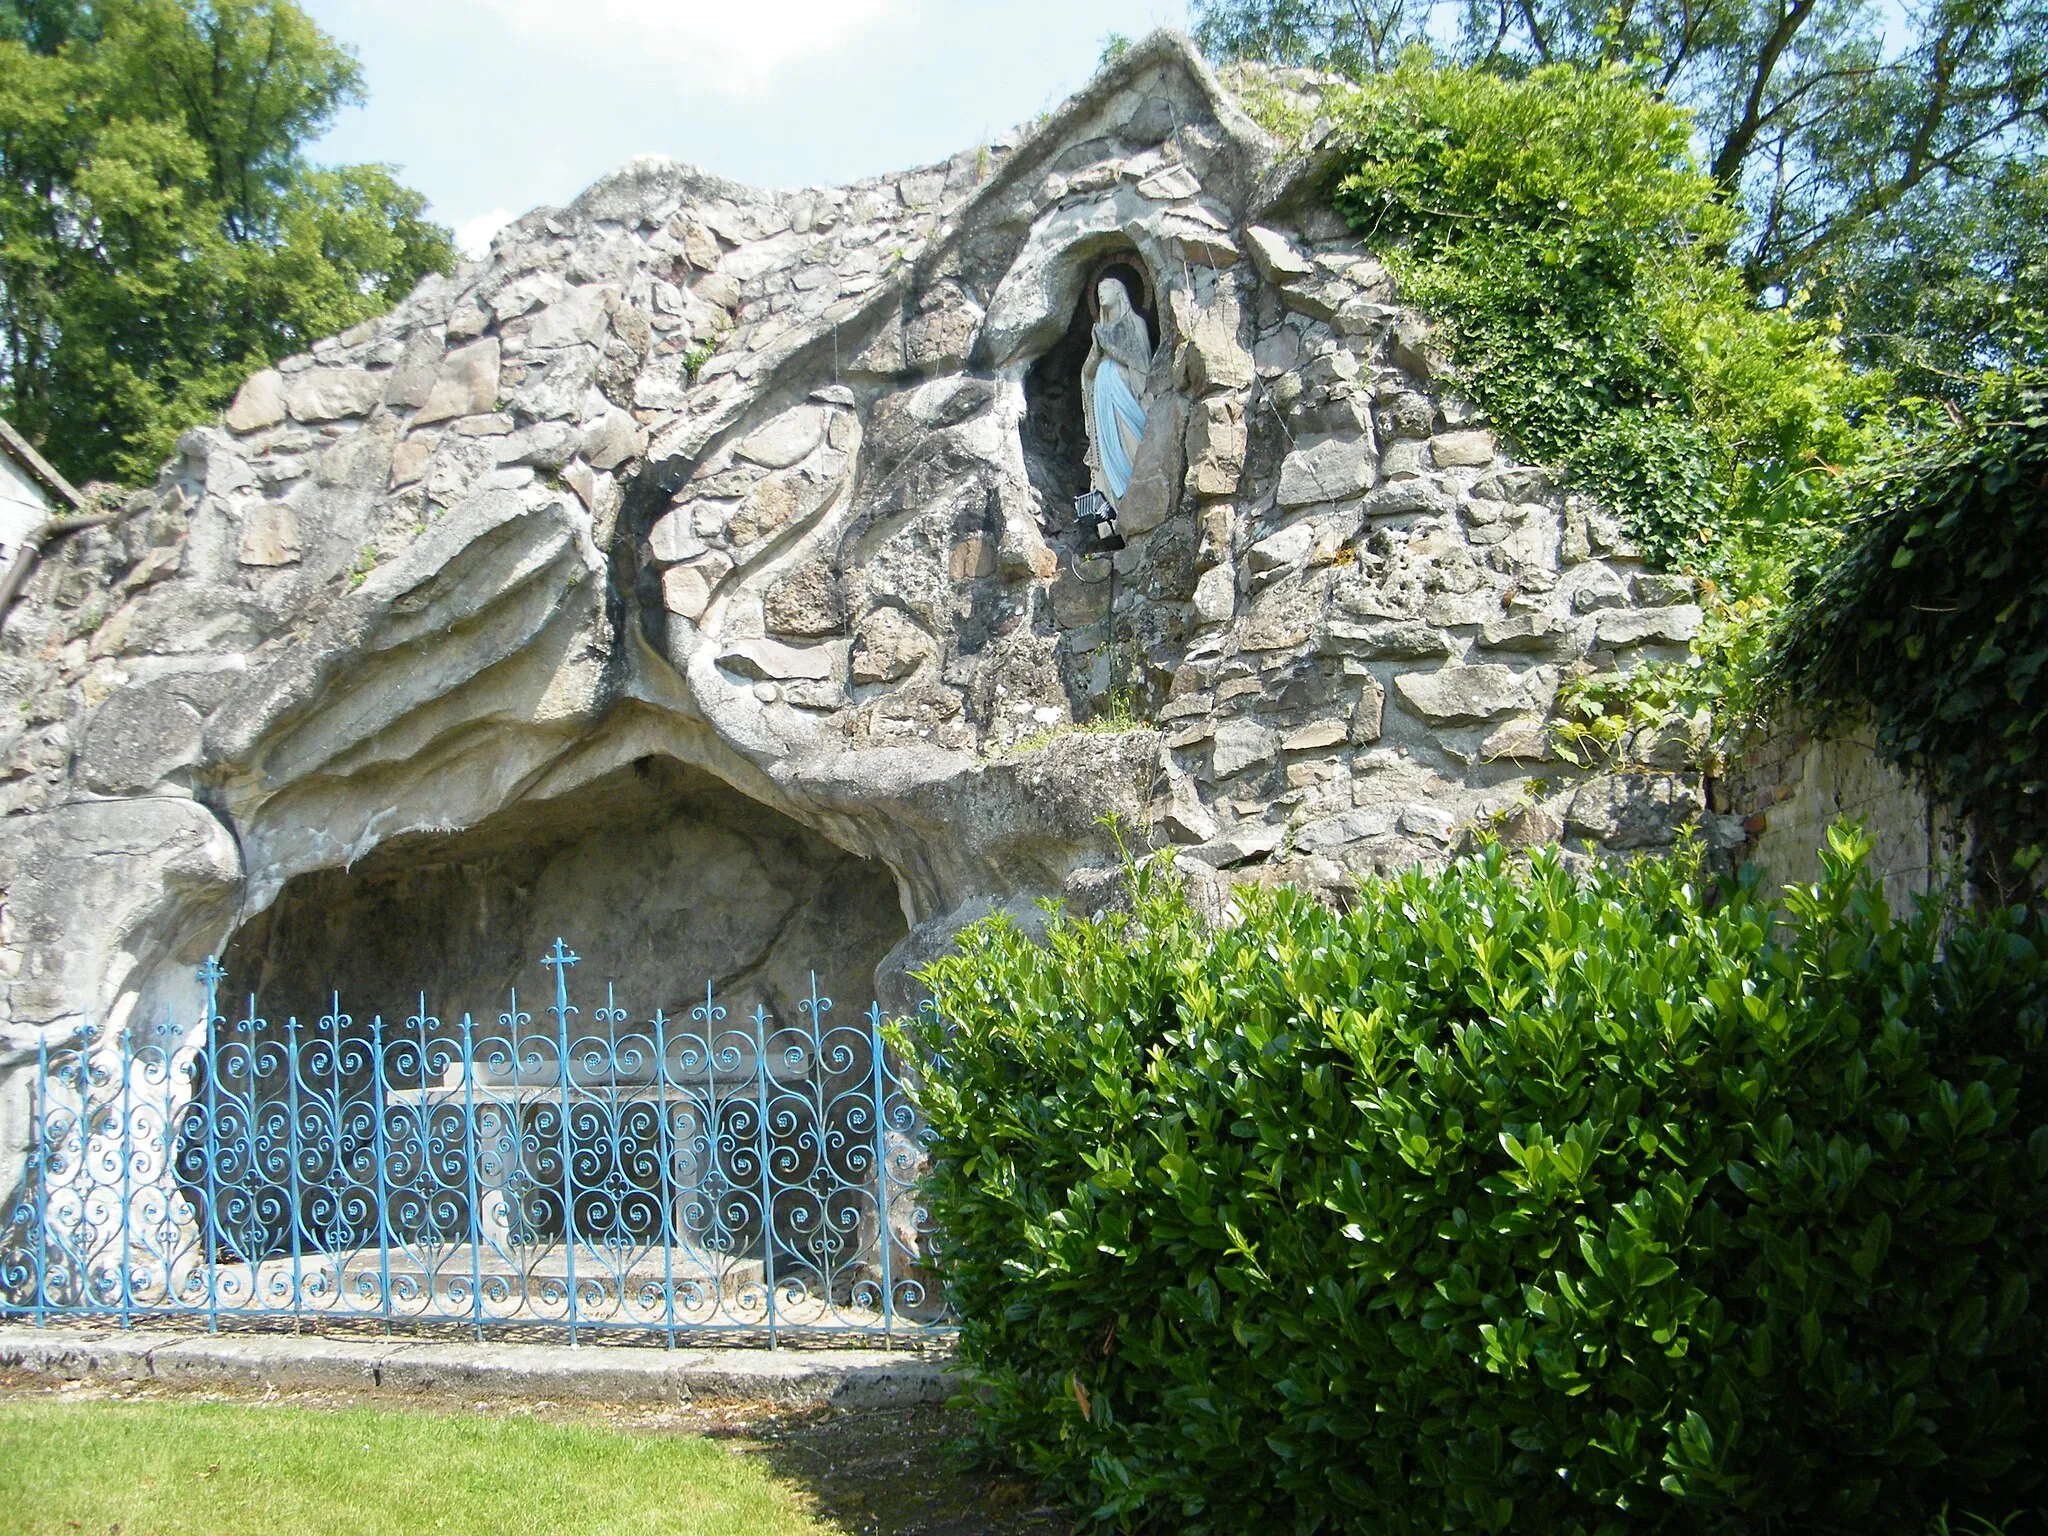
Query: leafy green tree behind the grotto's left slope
161	228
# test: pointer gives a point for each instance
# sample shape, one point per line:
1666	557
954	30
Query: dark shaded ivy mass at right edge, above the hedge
1934	622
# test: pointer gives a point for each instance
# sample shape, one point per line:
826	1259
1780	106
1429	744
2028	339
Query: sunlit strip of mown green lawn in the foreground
243	1469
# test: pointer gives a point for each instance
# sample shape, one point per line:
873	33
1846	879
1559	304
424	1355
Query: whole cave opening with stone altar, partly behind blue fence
740	949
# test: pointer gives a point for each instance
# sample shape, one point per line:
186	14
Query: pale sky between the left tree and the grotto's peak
495	108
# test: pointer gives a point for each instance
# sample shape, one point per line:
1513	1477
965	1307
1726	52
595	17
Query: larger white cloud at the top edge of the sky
728	46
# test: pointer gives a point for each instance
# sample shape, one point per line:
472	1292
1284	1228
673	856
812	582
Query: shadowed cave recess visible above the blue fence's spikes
658	876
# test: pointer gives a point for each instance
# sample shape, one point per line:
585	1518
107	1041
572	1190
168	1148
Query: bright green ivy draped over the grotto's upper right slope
1572	249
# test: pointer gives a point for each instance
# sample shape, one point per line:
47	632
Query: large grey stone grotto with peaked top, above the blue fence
697	577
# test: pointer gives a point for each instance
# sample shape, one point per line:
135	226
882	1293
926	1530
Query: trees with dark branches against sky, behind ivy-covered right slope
1848	132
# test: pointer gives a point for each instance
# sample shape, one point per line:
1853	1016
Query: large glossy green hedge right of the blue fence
1512	1199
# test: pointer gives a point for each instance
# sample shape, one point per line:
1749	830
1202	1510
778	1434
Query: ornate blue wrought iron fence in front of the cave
605	1177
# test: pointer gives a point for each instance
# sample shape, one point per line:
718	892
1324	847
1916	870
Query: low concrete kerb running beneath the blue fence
857	1379
